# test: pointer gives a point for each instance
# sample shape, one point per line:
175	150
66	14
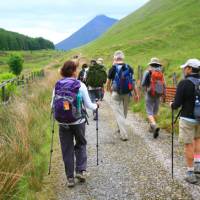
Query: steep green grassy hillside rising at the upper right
168	29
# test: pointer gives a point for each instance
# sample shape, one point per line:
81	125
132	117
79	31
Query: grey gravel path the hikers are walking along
137	169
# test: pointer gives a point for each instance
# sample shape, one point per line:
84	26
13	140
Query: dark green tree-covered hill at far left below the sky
15	41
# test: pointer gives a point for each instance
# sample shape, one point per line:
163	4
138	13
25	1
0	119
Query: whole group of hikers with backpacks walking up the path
75	92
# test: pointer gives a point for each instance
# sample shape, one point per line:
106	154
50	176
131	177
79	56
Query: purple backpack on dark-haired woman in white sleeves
67	109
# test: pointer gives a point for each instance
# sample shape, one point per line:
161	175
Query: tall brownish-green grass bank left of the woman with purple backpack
24	141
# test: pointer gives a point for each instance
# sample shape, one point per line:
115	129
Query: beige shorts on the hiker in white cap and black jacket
188	131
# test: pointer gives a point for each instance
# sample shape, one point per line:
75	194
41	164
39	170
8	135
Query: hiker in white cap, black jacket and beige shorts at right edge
187	97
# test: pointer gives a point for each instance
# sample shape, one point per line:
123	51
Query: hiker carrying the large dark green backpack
96	78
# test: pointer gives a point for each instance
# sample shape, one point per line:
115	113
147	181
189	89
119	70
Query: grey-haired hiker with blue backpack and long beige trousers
121	84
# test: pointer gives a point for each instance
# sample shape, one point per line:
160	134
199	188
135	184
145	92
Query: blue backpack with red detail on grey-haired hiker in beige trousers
123	81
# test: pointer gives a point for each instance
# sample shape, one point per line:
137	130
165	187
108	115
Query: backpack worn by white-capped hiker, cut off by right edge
196	82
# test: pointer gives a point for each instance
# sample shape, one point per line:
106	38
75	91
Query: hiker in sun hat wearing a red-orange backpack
154	84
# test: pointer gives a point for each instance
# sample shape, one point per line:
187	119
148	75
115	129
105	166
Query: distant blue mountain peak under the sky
91	31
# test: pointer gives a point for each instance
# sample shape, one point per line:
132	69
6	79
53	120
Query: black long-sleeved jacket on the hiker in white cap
185	97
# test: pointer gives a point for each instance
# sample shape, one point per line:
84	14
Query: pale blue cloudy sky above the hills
57	19
